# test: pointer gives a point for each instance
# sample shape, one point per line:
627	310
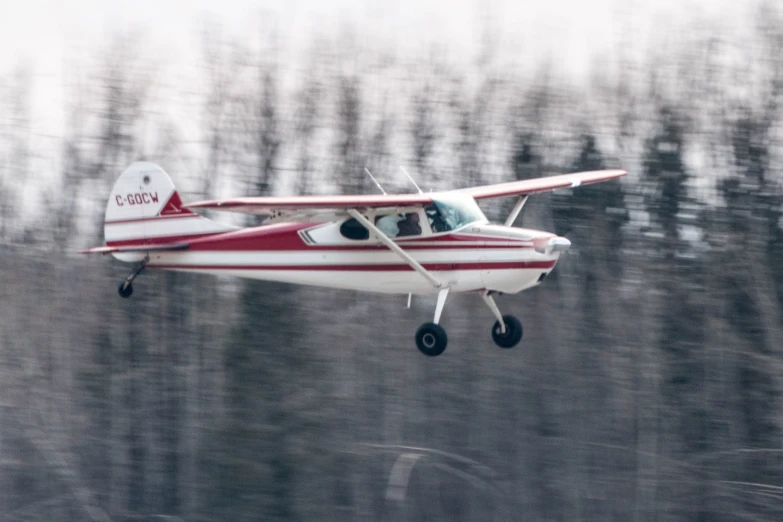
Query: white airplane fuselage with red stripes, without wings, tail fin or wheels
474	258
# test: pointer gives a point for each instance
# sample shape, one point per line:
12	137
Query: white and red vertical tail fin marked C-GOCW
144	208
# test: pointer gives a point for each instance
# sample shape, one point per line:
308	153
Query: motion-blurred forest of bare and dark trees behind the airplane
649	382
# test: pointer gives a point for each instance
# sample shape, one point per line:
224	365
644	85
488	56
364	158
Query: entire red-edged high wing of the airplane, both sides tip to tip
270	205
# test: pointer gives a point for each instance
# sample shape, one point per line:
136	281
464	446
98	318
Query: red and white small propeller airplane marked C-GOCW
419	243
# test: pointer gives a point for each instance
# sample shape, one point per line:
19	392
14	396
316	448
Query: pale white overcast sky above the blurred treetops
48	36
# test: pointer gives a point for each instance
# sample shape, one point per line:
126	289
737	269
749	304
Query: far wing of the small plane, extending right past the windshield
546	184
